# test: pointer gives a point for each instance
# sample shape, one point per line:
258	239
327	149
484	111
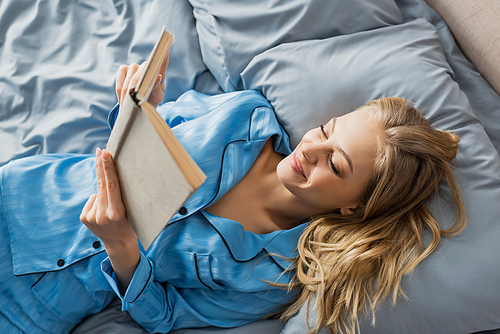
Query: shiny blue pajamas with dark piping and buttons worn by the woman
203	270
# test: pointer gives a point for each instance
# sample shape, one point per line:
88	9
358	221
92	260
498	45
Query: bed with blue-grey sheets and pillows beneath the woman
312	60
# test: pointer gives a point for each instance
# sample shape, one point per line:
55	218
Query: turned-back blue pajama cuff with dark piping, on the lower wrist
142	276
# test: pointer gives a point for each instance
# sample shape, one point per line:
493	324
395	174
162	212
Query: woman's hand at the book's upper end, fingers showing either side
128	76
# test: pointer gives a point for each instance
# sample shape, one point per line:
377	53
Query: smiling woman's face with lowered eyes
331	166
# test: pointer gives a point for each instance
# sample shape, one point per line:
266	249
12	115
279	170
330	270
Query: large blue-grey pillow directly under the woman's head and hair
455	290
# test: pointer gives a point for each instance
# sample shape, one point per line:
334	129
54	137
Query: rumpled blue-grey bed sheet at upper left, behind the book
58	65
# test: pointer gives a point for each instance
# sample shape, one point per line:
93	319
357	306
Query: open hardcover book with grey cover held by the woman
156	173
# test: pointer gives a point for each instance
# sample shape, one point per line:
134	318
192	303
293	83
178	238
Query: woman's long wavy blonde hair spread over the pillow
348	264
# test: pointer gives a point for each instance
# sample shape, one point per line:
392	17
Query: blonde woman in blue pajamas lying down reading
217	260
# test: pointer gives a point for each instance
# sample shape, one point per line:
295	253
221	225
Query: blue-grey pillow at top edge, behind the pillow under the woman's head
233	32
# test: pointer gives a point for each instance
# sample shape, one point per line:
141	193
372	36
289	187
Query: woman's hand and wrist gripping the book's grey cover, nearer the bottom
104	214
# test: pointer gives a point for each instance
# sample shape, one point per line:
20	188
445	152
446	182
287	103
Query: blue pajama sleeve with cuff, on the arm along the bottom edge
161	307
